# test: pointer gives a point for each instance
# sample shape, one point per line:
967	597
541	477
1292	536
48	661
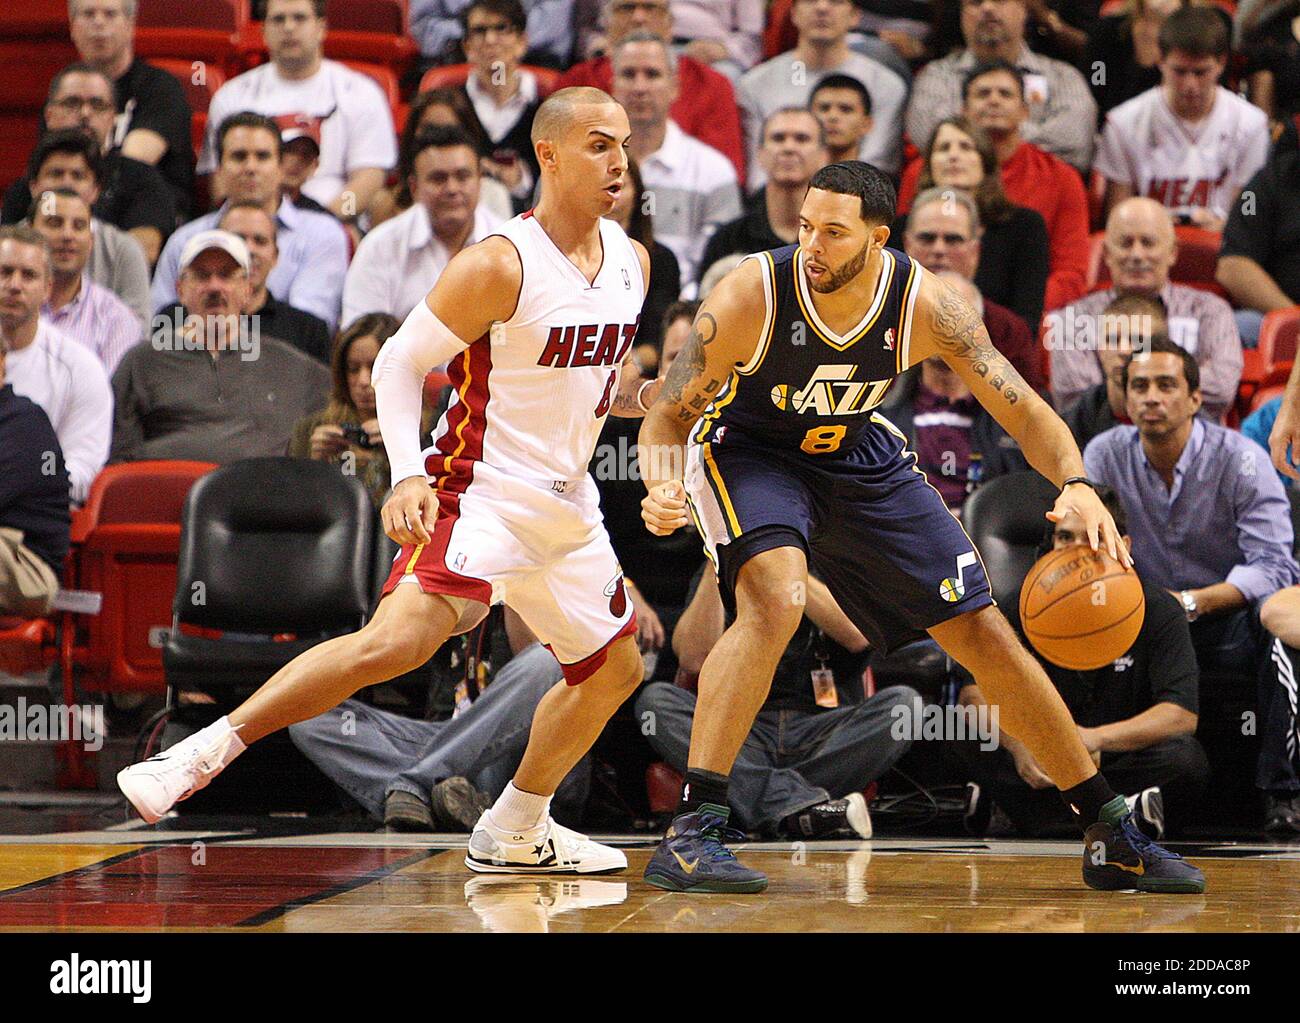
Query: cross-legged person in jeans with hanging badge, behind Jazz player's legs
816	744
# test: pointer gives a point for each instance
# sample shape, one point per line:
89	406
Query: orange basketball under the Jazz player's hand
1081	609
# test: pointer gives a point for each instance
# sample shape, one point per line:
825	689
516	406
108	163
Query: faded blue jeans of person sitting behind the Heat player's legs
370	753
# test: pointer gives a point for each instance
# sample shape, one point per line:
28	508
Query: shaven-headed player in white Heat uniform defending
538	322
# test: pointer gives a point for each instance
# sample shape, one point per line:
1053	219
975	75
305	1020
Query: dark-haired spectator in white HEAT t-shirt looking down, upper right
1188	144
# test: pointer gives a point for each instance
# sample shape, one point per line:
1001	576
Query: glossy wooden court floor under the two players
233	881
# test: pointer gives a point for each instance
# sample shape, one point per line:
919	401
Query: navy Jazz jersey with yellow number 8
808	388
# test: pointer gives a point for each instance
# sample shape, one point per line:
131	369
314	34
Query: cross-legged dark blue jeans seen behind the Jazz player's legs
792	758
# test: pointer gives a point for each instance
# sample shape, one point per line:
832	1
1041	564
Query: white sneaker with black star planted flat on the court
547	848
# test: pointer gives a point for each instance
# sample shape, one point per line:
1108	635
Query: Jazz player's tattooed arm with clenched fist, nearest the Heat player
722	339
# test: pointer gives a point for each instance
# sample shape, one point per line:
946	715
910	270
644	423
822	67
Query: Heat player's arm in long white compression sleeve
479	287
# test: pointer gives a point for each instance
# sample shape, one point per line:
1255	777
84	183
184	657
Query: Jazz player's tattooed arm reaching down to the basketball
947	327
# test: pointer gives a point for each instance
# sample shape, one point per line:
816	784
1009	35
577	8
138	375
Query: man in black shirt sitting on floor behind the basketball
1137	716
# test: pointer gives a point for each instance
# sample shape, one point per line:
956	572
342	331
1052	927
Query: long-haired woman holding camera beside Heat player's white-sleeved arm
348	428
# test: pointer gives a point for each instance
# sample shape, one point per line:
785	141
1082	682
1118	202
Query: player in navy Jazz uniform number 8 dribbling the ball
788	466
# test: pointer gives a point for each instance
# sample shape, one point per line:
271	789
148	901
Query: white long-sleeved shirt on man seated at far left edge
67	380
